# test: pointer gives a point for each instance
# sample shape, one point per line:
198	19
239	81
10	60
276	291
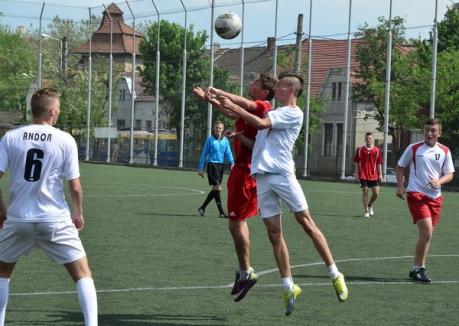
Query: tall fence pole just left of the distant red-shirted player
346	93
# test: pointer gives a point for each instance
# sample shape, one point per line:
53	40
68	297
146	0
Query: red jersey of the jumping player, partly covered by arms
242	153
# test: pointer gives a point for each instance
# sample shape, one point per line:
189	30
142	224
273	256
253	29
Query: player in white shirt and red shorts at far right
431	166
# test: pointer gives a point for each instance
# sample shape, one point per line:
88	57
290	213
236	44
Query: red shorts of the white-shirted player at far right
422	206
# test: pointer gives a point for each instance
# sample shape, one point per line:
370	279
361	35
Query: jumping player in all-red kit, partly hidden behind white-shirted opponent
242	193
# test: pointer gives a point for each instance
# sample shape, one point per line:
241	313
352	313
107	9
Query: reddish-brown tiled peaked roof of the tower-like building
122	35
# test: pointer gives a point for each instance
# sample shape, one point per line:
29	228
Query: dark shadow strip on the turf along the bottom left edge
72	317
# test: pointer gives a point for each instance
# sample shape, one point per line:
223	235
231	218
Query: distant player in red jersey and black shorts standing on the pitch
368	160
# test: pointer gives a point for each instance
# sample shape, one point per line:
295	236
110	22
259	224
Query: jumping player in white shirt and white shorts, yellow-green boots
274	170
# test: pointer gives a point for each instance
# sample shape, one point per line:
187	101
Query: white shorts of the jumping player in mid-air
272	187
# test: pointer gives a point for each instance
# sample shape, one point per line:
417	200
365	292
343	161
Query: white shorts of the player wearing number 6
59	240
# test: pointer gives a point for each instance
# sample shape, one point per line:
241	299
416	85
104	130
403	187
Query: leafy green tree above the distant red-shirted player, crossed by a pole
408	77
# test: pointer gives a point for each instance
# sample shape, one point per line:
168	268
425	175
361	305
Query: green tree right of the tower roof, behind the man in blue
170	79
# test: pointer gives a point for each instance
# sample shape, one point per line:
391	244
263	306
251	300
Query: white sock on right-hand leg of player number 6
88	300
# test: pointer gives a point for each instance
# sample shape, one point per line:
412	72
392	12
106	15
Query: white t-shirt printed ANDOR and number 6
40	157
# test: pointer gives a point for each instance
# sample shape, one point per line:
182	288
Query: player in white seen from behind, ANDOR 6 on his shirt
40	157
